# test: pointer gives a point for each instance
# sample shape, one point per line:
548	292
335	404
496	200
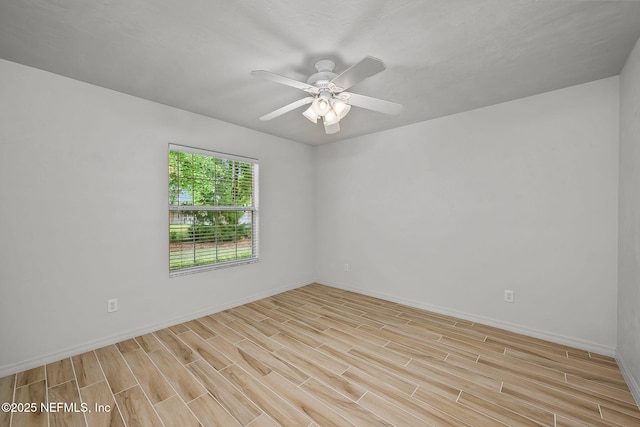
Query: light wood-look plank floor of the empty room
323	356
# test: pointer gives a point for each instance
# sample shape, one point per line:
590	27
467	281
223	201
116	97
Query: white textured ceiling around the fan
442	56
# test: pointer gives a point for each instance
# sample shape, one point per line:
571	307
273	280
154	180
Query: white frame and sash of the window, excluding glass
177	208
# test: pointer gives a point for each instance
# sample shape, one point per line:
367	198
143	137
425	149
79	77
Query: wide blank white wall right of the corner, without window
448	213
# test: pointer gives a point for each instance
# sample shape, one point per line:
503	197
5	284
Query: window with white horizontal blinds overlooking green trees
213	210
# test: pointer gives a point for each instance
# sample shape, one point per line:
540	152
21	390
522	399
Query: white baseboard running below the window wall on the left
14	368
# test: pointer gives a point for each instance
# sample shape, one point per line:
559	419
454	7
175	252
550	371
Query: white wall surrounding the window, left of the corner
83	217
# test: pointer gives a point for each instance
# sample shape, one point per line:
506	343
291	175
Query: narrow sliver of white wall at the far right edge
628	352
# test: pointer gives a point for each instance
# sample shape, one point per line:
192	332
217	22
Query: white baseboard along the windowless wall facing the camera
545	335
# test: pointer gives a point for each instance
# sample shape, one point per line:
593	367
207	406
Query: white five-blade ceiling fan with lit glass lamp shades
327	95
